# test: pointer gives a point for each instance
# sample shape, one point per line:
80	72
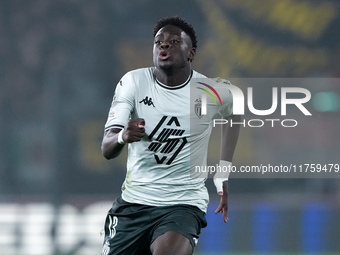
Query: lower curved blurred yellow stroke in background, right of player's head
233	51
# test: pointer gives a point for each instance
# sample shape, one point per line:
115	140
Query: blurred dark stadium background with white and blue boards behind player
59	64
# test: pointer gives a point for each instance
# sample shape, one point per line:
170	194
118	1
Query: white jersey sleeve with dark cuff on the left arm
122	103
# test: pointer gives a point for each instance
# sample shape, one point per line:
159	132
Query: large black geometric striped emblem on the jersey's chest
169	142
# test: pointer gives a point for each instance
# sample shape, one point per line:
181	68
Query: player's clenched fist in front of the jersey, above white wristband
134	131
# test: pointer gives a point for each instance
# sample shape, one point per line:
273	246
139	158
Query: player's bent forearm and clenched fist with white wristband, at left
112	145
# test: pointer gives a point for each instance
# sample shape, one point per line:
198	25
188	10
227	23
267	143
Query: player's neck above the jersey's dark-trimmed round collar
172	78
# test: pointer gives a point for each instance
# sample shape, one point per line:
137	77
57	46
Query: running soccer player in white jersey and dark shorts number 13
162	206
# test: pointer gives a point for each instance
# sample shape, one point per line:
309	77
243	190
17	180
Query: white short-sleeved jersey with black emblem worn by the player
176	138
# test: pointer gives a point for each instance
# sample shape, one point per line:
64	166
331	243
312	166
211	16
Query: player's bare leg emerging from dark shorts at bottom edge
171	243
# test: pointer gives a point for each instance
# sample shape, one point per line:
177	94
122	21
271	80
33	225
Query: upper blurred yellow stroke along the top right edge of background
305	19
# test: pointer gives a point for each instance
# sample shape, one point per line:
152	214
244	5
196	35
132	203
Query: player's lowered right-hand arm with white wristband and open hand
229	140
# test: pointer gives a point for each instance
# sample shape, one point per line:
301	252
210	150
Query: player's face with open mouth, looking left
172	48
